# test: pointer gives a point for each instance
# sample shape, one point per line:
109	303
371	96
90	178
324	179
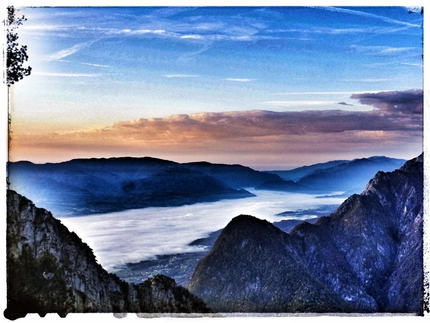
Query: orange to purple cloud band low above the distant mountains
251	134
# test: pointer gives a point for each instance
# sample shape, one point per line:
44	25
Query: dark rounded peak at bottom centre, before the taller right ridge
246	263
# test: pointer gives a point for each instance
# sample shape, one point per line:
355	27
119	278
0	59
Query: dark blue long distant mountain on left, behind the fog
84	186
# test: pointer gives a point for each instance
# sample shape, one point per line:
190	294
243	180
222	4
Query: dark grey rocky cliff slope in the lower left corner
50	269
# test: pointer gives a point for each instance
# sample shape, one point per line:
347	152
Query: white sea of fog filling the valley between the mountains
118	238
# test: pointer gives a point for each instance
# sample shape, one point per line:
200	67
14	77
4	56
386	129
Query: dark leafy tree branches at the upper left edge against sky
16	54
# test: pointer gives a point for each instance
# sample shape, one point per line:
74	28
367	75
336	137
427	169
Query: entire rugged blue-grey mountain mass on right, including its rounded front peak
365	257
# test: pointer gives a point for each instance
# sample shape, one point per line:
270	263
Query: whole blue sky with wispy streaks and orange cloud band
266	87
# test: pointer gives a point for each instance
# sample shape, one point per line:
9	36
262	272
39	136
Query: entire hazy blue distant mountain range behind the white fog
86	186
